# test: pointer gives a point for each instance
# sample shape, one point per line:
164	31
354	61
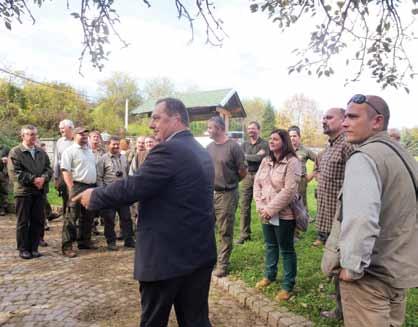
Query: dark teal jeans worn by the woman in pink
280	239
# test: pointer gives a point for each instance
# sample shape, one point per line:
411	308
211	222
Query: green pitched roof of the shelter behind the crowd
196	101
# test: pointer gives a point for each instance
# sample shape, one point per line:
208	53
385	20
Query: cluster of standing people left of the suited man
82	159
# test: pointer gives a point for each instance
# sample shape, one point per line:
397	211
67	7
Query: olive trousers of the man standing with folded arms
246	199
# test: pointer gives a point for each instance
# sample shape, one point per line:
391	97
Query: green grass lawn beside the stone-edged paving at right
313	290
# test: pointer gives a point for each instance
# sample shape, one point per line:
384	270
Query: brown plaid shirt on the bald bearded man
331	177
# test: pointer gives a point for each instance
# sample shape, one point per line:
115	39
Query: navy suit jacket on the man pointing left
174	185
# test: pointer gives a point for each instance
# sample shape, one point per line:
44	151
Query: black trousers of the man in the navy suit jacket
189	295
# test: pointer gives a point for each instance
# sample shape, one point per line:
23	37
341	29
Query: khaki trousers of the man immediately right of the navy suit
225	204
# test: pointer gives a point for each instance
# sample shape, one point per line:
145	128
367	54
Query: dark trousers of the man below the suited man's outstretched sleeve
125	223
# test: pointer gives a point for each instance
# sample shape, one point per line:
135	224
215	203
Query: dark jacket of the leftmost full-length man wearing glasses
23	169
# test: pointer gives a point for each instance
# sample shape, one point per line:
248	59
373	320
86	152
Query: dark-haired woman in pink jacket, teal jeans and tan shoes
275	186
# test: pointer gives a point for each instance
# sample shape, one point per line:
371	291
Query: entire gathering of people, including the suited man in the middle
367	187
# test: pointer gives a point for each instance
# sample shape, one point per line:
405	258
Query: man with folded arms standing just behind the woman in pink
255	149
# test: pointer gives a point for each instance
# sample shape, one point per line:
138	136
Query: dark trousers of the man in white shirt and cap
77	220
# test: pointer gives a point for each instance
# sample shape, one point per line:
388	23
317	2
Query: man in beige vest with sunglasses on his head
379	229
